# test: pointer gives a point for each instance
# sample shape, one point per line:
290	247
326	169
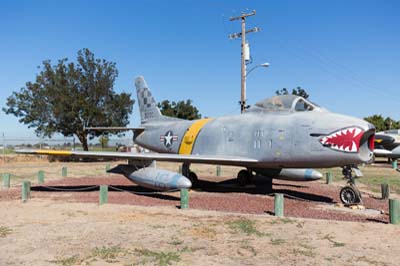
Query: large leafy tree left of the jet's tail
67	97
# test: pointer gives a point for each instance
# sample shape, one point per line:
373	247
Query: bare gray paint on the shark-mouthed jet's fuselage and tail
276	139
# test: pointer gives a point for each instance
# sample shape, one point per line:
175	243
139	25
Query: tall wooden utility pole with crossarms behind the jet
243	68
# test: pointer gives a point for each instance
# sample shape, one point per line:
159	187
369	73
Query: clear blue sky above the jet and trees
344	53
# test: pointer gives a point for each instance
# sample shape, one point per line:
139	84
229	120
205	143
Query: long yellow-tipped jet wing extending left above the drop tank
167	157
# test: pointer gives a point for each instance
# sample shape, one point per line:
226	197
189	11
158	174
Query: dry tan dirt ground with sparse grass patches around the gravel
52	229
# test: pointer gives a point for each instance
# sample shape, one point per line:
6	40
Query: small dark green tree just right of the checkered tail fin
180	109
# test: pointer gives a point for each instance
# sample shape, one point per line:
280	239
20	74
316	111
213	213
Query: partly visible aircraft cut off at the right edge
387	144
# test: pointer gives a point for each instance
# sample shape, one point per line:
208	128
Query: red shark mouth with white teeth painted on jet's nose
345	140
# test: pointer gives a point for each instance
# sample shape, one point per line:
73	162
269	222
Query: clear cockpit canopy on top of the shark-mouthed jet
289	103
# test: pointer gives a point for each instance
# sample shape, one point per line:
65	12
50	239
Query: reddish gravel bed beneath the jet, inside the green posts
302	199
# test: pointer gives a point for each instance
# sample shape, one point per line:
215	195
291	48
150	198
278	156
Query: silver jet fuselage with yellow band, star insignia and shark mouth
280	132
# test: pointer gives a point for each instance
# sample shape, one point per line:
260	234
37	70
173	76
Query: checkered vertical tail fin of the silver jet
147	105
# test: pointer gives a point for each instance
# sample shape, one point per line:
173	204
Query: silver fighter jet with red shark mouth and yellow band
282	137
